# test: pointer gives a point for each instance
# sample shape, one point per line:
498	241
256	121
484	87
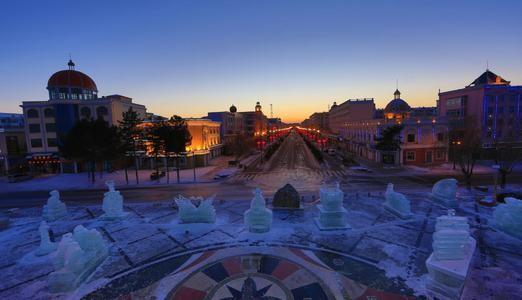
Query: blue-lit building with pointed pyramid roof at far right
492	102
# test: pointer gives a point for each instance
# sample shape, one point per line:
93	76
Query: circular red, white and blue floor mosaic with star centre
252	276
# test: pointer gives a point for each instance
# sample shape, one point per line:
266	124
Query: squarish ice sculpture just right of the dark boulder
332	214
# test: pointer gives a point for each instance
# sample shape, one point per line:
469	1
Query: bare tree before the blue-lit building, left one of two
468	151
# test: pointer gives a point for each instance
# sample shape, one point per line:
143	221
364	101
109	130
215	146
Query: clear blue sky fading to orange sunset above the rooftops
192	57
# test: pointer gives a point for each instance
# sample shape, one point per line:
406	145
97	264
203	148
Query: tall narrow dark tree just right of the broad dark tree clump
130	134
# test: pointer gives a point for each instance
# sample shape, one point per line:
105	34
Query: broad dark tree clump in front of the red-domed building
91	142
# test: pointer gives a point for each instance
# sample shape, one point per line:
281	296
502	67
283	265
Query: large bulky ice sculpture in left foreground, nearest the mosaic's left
77	257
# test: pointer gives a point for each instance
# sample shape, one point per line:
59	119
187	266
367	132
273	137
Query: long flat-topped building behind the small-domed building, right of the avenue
349	111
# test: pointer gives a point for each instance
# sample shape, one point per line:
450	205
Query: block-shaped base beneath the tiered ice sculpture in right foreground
447	277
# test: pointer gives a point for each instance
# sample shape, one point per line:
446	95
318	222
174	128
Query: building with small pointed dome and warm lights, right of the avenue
424	137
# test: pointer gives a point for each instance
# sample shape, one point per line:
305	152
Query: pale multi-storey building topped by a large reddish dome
73	95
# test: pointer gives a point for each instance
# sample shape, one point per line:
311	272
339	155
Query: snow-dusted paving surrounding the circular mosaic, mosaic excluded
380	245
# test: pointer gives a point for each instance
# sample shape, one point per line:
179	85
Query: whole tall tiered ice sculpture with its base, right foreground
449	263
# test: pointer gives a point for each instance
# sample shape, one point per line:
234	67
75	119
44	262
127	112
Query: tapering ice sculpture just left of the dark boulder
258	218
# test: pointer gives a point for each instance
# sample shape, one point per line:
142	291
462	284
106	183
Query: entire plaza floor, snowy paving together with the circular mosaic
153	256
